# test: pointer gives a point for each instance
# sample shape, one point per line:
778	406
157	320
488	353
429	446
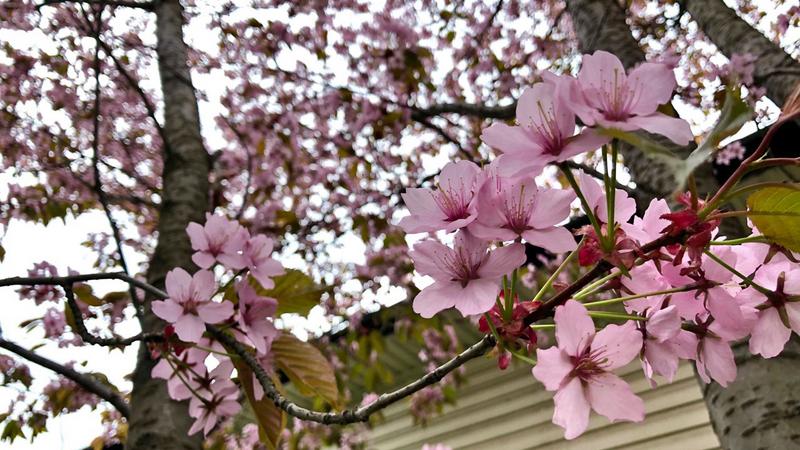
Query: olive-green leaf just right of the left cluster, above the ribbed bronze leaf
295	291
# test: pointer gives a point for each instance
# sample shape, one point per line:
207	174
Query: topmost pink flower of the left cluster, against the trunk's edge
220	240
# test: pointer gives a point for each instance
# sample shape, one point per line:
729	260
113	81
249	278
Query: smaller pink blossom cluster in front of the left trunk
195	301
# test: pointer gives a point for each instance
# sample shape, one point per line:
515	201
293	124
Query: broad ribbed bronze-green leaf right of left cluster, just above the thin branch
306	367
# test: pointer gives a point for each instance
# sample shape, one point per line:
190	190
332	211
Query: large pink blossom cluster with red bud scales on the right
675	289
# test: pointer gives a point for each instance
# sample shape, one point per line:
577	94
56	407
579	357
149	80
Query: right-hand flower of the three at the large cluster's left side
508	209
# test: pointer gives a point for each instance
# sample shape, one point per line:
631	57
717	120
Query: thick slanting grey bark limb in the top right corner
775	70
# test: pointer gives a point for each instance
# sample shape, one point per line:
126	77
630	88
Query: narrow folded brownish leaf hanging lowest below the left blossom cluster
271	419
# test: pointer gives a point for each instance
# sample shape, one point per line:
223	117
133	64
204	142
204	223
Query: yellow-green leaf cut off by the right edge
776	213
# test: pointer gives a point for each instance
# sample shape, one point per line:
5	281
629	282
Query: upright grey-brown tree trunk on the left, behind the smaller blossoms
156	421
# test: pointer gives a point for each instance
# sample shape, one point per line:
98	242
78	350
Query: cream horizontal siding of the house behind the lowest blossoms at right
509	410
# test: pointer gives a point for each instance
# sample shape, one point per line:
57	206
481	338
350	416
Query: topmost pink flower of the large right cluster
604	96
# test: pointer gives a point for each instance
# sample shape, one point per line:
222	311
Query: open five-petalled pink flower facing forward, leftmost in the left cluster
189	305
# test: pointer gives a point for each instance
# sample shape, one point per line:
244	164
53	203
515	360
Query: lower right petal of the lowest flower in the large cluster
612	397
